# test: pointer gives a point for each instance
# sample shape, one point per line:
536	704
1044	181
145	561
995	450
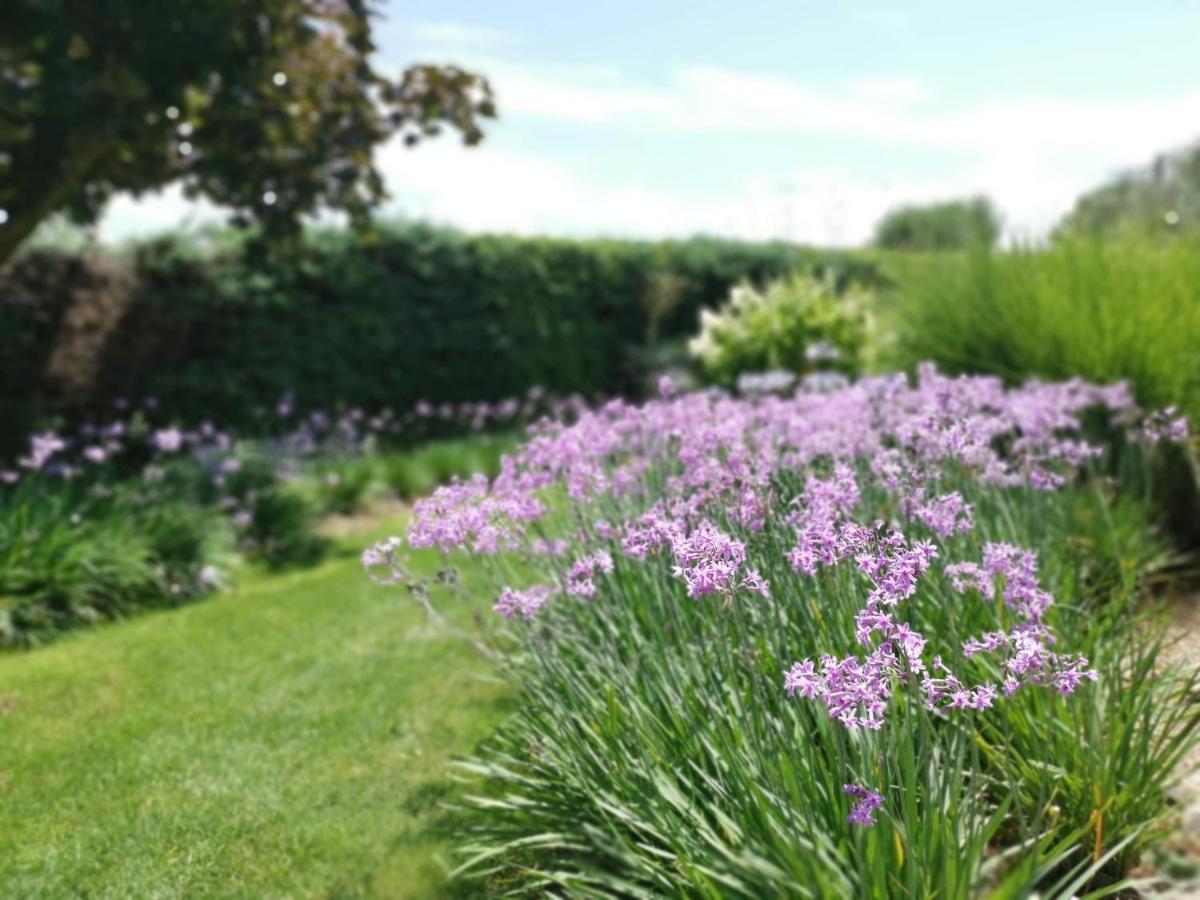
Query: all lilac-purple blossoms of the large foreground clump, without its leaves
711	490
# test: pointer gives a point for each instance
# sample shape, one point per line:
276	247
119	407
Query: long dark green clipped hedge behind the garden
415	314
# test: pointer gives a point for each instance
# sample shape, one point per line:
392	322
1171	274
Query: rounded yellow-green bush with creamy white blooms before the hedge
779	328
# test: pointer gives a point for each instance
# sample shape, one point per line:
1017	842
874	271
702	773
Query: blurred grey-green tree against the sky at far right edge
1162	200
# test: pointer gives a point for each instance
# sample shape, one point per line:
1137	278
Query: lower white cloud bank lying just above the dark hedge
500	191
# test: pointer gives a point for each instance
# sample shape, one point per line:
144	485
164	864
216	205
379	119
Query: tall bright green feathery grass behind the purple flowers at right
1125	309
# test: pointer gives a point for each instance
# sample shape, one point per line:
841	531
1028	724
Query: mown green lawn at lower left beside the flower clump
287	737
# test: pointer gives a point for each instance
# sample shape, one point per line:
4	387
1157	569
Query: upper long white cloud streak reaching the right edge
893	110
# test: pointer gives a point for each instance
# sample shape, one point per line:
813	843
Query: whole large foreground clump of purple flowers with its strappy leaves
872	643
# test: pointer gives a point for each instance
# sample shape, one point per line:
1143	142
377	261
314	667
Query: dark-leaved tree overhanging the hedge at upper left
269	107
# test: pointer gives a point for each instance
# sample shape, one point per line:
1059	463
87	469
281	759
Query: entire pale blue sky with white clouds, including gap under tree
796	119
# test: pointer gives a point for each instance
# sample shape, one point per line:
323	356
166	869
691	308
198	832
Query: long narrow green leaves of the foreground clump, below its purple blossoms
657	754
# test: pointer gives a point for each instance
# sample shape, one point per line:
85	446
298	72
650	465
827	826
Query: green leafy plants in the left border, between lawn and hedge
111	542
